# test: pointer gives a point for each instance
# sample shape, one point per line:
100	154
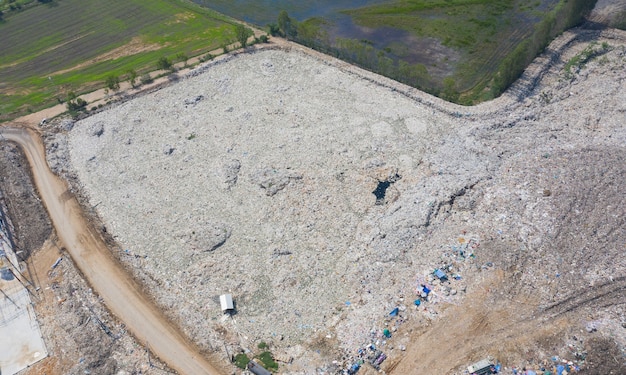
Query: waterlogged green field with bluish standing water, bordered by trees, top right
454	49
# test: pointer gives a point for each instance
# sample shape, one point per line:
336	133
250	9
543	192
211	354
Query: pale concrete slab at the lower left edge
21	344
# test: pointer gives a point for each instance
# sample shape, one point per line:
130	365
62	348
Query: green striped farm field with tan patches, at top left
49	50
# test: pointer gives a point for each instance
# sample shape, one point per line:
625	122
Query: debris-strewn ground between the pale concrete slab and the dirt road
81	335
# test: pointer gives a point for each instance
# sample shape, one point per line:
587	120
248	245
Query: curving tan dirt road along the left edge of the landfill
120	293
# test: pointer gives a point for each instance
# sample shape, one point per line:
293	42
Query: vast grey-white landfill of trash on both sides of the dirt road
359	225
